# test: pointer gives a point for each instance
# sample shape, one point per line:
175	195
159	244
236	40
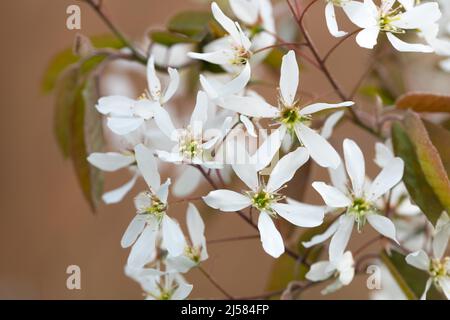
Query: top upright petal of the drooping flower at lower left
147	166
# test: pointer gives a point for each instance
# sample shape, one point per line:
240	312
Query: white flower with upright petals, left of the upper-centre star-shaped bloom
191	146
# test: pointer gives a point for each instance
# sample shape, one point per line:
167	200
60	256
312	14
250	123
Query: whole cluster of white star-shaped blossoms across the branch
214	141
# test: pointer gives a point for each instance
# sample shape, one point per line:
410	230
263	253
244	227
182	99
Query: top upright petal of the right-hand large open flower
355	165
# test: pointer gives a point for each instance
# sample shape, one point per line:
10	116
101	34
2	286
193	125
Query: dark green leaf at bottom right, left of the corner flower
410	280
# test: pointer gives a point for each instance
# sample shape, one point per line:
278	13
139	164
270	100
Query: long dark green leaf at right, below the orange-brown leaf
413	177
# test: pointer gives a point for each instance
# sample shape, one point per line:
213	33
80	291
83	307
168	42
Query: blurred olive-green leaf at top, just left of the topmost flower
193	24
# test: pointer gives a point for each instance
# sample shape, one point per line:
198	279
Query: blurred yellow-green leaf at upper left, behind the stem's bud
66	57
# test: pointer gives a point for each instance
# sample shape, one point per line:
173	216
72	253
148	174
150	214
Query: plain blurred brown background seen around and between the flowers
45	224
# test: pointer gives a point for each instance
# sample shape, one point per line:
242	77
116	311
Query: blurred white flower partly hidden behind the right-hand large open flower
399	198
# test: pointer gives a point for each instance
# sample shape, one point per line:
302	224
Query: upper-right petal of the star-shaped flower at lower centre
286	168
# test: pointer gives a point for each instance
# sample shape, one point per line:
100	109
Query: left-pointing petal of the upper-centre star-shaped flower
249	106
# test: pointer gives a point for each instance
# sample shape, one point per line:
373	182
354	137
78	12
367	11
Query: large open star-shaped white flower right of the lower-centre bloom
359	202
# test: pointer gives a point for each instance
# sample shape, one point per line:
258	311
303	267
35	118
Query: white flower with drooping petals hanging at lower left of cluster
151	219
